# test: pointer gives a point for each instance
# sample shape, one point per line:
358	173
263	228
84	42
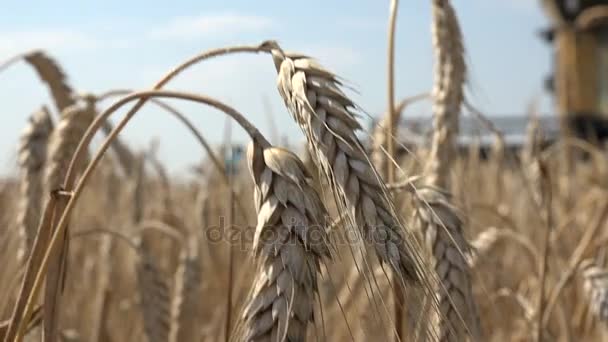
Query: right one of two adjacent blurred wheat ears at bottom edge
185	308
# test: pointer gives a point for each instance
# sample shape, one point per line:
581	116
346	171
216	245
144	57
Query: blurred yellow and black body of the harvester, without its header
579	37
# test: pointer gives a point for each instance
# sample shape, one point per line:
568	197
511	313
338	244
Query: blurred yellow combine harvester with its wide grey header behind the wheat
579	84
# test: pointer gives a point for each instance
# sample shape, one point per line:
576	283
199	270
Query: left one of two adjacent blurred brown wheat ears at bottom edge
154	296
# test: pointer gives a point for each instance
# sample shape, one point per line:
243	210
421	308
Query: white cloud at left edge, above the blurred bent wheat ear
14	42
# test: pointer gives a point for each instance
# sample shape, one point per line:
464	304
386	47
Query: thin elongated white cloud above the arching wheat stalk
202	25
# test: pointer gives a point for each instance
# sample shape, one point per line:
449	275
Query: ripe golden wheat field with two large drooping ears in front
358	238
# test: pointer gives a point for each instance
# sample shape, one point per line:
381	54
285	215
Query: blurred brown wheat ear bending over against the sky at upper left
51	73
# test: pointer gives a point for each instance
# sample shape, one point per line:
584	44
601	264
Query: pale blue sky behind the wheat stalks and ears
130	44
